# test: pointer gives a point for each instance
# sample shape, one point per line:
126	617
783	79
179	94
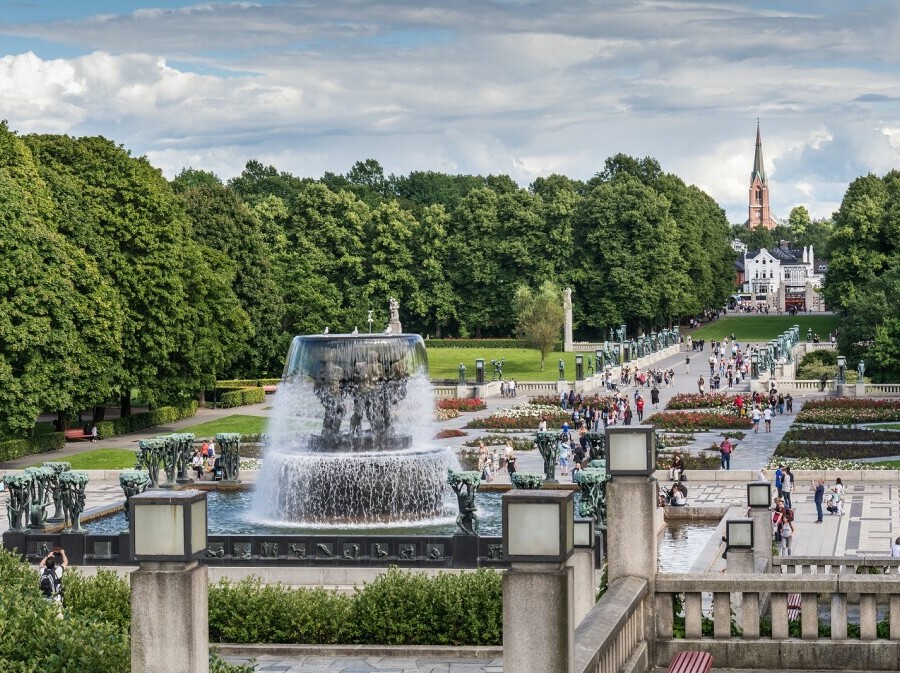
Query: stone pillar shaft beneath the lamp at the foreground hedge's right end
539	618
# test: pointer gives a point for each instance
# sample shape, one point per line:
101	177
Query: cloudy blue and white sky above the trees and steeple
522	87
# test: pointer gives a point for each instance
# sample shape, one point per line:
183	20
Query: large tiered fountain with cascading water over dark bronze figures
350	437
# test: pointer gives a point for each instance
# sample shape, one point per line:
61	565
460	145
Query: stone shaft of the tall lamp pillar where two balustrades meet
631	542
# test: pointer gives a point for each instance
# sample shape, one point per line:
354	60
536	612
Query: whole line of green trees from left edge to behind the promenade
118	280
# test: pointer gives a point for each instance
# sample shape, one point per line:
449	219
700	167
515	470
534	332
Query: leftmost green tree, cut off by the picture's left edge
60	324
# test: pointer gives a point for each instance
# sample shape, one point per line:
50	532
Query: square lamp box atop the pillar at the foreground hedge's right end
538	526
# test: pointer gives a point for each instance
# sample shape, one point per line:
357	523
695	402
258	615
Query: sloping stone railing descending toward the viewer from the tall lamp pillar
611	637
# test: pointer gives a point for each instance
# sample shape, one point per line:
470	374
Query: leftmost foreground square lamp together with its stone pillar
169	591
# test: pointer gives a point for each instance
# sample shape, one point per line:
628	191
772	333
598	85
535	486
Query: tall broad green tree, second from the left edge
123	213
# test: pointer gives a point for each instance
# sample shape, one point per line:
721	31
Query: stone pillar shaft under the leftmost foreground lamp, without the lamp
169	618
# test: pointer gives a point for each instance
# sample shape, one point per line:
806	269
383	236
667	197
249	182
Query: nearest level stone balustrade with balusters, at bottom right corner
778	647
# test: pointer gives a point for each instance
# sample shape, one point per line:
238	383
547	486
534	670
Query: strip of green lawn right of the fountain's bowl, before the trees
521	364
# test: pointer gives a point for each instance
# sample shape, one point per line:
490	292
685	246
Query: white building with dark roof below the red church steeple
783	278
